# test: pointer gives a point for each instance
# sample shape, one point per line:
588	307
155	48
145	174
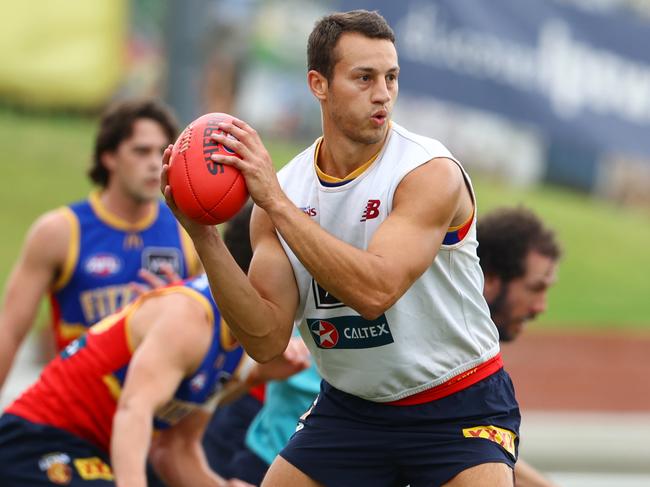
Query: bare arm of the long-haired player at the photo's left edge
37	268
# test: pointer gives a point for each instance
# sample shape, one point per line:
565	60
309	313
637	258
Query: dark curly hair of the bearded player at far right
507	235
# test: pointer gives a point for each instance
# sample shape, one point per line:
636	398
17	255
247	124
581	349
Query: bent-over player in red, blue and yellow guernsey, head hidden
107	389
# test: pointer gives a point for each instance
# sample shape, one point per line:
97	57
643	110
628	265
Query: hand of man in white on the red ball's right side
254	161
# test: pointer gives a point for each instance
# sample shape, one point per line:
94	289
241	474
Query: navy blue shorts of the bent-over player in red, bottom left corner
36	455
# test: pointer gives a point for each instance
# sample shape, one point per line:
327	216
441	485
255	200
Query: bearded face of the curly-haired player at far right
523	298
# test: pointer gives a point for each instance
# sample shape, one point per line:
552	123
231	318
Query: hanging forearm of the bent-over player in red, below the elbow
129	446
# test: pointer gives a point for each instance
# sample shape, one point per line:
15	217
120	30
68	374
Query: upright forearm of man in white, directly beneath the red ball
256	322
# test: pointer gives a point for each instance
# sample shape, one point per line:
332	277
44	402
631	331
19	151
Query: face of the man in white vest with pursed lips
363	88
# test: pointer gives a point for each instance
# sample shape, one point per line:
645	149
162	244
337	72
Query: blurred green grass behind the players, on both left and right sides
604	276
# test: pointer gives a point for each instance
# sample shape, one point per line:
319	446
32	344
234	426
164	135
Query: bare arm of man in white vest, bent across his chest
403	247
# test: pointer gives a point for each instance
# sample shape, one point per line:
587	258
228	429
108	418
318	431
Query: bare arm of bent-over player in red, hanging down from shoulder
157	368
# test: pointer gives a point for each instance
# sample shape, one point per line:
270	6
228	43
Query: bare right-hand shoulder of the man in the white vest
436	191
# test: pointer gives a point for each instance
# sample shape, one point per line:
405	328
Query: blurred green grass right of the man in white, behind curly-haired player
604	275
